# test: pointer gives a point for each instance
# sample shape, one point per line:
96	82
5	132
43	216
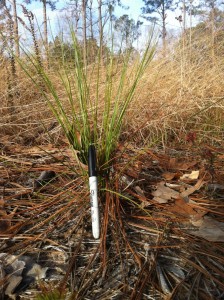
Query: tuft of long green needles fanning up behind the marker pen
90	101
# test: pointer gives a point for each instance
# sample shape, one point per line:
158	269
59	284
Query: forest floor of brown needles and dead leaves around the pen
162	224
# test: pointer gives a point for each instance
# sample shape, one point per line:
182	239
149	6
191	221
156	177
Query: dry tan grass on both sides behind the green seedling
179	93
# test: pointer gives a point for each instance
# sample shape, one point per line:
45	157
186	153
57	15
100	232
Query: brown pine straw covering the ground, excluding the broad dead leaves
145	250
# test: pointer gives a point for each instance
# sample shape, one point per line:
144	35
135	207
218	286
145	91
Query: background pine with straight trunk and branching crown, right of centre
160	8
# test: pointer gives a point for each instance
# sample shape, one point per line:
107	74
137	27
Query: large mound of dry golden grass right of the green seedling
179	94
